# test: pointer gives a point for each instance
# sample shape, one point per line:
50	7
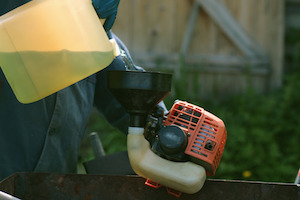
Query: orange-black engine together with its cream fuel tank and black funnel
176	149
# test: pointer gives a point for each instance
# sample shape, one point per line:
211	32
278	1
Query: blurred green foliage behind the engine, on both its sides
263	130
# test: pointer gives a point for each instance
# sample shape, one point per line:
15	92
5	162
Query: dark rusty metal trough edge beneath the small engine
71	186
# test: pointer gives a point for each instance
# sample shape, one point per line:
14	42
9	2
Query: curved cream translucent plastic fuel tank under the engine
186	177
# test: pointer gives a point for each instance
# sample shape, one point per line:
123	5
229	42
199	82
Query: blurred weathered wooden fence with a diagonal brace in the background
223	46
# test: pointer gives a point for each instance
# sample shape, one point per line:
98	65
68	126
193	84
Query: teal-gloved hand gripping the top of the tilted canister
106	9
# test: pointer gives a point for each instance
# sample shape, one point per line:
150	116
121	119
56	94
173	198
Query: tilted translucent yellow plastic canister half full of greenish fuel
47	45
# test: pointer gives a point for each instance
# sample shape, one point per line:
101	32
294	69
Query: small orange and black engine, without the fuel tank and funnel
187	133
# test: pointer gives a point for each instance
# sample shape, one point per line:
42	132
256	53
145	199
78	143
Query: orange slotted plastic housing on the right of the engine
206	134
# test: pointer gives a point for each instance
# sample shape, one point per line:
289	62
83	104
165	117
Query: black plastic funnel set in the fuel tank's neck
139	92
